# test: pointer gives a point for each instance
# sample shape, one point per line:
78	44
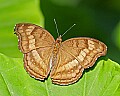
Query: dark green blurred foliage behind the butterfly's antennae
94	18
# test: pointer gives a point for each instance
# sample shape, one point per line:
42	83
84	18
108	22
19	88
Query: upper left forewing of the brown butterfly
32	36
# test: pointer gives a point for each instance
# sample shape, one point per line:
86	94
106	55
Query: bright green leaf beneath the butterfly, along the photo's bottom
103	79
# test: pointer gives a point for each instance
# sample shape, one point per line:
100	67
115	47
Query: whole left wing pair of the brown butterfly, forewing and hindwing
36	44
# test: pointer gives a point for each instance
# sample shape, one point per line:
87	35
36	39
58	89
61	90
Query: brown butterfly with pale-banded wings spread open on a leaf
63	61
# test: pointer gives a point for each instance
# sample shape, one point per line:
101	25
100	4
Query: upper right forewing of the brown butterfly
88	49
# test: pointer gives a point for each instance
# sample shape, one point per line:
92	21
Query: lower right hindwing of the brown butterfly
67	70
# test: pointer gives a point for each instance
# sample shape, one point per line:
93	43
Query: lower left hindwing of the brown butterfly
37	62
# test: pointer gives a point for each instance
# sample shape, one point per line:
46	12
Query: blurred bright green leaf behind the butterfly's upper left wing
14	12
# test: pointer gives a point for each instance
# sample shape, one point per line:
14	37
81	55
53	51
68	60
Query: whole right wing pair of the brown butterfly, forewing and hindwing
74	56
